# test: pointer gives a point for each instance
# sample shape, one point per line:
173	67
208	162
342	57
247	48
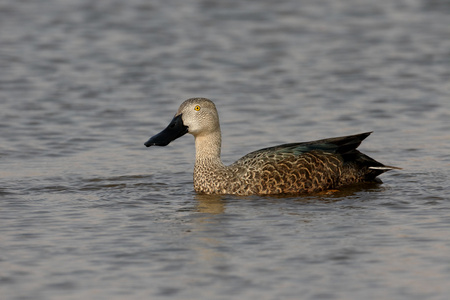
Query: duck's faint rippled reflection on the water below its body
214	224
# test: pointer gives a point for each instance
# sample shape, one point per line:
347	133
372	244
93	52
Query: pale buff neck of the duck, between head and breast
207	149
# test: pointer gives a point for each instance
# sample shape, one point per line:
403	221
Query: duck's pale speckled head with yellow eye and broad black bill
197	116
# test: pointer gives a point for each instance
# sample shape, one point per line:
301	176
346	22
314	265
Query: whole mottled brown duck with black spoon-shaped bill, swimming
296	168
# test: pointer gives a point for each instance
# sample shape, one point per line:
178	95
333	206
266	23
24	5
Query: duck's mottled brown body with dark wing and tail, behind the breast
305	167
